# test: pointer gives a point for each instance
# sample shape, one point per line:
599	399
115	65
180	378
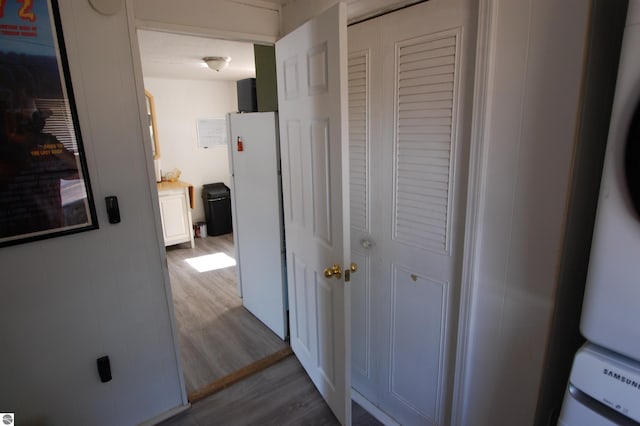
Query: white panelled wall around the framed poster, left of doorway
72	299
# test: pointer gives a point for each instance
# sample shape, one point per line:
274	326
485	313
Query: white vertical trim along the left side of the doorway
153	194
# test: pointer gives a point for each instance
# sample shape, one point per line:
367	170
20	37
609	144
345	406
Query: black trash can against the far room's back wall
216	198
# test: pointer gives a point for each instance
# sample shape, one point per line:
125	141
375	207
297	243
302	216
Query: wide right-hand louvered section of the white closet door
426	83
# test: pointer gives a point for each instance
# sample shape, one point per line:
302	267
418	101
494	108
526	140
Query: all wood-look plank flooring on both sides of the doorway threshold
218	337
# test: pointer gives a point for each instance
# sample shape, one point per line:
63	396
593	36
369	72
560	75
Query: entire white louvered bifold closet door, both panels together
408	72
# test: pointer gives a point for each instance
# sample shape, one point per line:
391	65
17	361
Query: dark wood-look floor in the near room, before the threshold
279	395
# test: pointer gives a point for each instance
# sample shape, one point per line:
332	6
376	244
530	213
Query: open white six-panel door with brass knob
312	100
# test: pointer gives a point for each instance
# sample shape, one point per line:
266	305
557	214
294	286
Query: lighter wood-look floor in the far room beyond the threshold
218	336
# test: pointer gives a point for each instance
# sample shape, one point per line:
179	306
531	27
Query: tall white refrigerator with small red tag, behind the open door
256	202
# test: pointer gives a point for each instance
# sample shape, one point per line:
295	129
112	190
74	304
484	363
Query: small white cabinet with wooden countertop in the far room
175	211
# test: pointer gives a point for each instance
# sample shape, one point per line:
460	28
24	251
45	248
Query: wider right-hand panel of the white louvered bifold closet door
418	261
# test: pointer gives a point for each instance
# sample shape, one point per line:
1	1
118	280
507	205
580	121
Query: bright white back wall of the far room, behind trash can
179	104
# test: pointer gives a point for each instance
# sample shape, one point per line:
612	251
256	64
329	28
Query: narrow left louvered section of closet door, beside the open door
359	141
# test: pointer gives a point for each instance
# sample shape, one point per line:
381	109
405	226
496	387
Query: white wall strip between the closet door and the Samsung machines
534	82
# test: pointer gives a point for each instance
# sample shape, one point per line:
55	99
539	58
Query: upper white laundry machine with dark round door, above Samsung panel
611	310
